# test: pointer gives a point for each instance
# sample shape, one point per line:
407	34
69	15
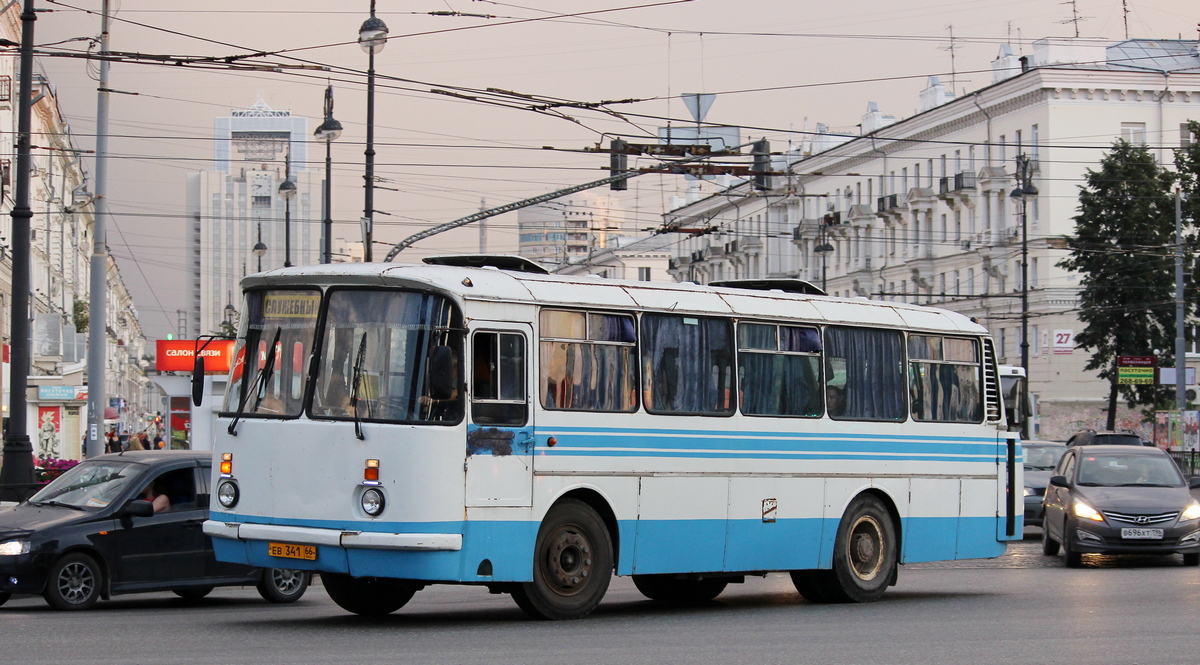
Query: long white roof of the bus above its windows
571	291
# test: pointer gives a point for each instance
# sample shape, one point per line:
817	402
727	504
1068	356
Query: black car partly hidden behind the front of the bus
92	535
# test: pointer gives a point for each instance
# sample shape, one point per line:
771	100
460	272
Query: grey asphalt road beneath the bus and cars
1022	608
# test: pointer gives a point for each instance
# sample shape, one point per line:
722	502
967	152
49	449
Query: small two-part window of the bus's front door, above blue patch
499	380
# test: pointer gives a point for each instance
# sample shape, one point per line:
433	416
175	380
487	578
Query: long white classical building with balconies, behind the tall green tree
919	209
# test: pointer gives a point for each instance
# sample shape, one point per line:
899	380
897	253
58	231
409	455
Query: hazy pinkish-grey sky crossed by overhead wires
777	65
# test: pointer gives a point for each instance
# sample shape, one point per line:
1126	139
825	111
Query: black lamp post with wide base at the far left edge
19	460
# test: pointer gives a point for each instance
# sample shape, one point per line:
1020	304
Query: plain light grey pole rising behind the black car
98	315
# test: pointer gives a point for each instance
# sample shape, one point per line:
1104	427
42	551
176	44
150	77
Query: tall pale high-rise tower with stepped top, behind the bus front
237	205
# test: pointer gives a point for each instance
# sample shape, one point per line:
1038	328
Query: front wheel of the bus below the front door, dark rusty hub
572	565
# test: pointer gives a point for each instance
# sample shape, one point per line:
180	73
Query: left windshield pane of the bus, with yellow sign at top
273	385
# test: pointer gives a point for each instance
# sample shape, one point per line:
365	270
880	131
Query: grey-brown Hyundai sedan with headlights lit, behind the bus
1120	500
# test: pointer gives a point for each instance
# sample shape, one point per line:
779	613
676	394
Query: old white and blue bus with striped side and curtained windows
476	421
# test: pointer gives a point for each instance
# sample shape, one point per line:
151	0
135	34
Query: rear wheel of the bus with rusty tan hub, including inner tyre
865	558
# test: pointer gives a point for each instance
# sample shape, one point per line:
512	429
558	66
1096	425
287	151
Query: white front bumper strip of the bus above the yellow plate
335	538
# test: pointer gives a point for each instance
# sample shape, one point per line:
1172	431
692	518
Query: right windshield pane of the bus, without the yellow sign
389	356
